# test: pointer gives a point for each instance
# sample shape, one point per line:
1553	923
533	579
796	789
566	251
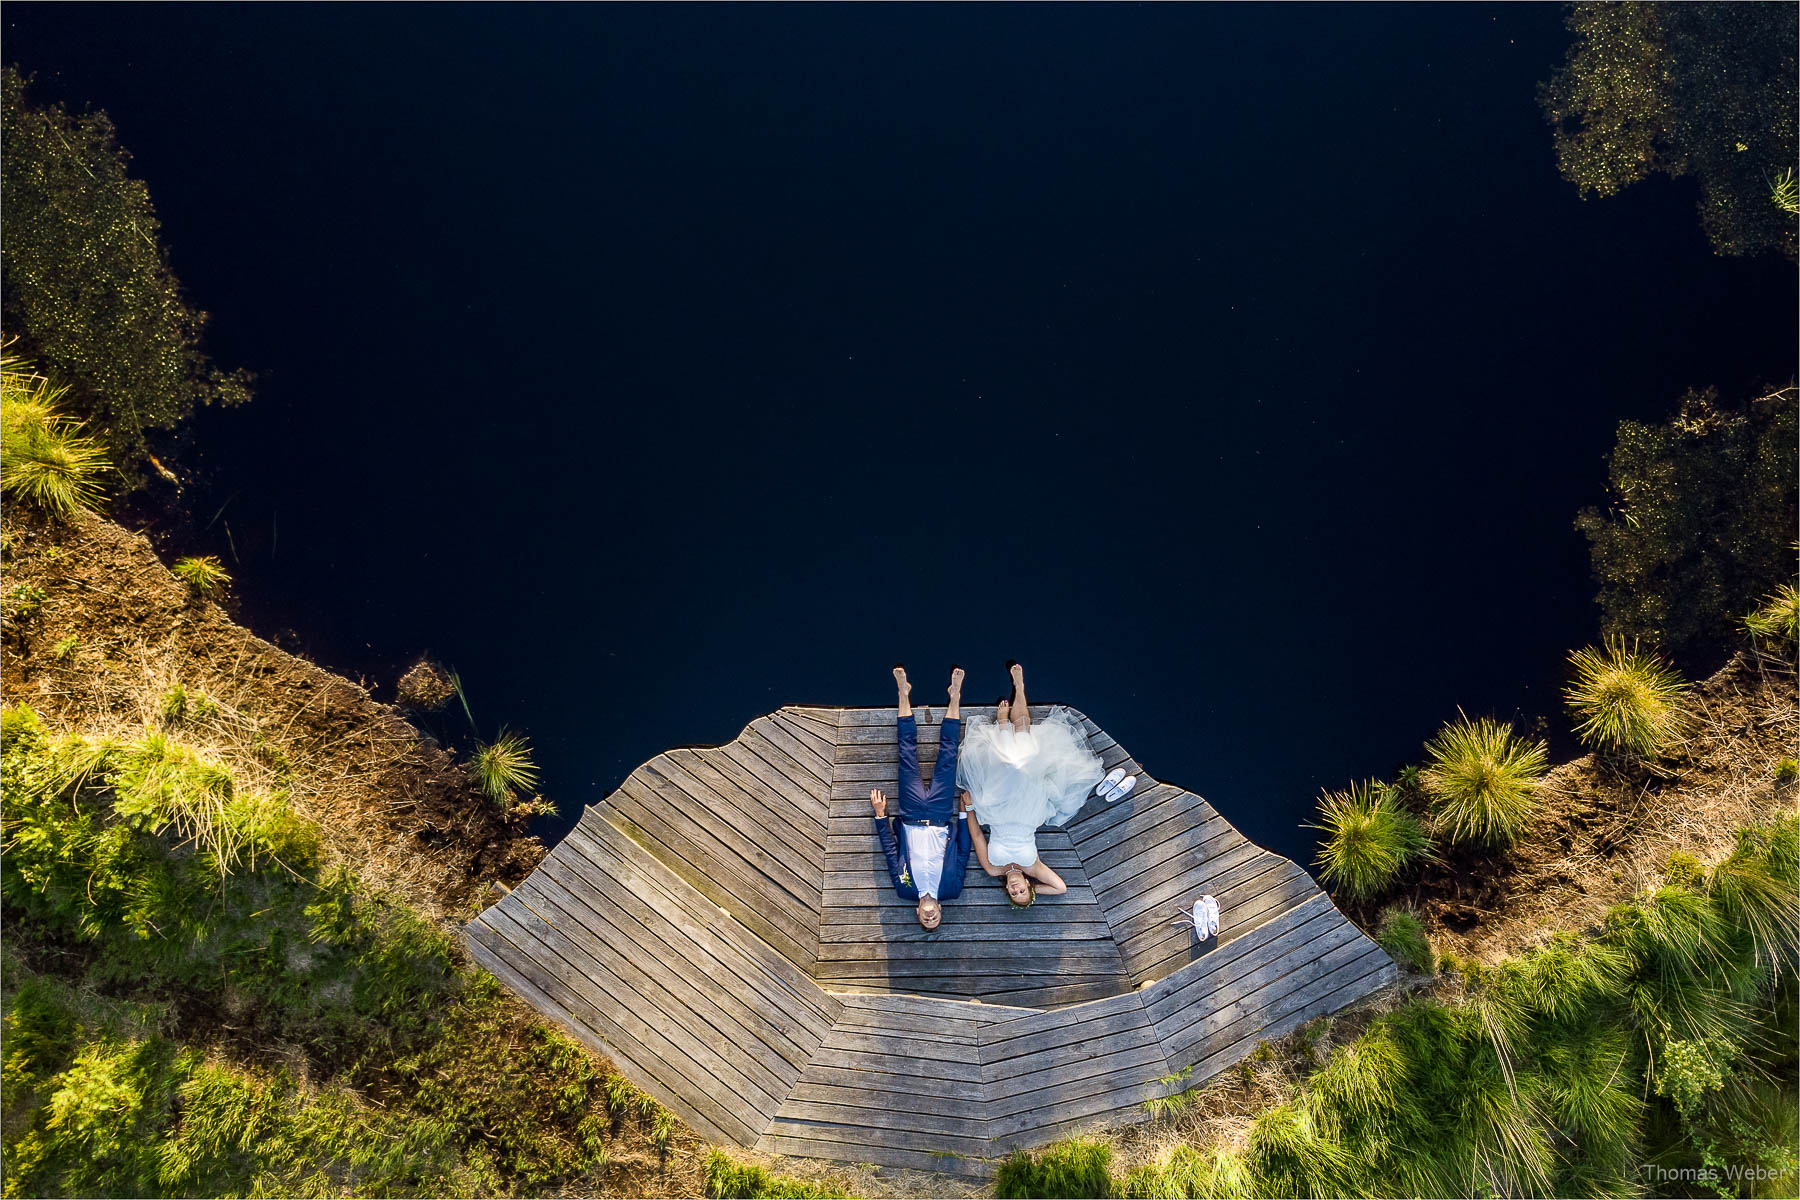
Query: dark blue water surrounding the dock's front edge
1239	370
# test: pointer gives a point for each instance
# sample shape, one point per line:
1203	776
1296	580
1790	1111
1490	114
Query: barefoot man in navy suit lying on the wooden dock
928	841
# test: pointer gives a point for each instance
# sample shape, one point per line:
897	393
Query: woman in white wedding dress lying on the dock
1021	776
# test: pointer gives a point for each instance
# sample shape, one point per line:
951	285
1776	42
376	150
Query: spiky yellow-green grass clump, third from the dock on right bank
1626	701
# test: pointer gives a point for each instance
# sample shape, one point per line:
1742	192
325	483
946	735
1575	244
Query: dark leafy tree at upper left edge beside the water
87	287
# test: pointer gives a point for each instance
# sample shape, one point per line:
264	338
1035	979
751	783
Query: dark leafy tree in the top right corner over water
1684	89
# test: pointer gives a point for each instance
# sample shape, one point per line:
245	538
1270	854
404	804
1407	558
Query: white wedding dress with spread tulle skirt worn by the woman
1021	782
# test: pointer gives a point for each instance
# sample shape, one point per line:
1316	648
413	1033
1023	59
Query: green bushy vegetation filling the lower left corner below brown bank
426	1077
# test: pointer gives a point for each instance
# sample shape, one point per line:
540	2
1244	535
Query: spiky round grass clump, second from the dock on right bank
1480	780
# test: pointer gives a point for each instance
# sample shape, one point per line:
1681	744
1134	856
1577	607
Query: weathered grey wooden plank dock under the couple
724	929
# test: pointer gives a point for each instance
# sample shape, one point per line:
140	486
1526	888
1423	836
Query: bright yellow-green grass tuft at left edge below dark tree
44	458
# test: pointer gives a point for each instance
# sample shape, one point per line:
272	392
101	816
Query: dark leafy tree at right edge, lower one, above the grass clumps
1702	521
